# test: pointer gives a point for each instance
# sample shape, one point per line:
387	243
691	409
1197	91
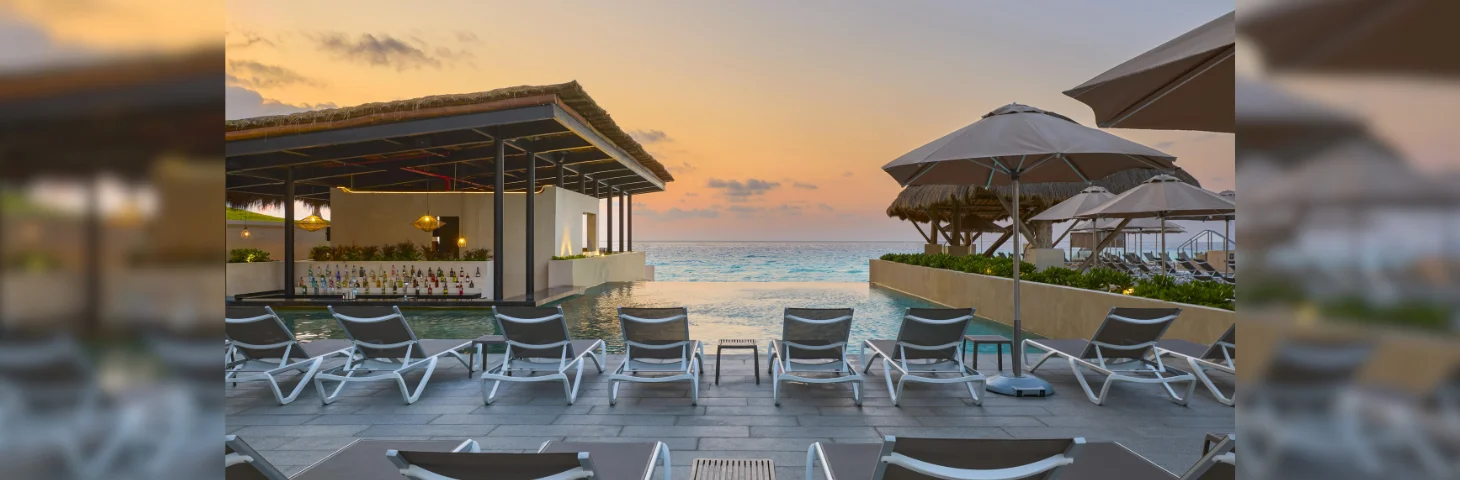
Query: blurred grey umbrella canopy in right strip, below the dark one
1271	119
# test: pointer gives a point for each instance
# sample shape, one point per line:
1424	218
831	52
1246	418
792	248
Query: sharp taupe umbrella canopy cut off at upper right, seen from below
1185	84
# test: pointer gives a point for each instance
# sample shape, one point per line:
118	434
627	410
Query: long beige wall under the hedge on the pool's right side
1048	310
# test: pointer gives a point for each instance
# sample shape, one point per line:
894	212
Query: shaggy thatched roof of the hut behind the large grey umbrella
915	202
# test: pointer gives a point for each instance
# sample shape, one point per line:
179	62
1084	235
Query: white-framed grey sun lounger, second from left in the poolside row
383	348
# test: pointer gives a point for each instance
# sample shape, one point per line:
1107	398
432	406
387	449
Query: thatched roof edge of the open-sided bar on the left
567	96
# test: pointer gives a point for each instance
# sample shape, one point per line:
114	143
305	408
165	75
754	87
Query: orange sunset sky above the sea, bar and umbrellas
808	100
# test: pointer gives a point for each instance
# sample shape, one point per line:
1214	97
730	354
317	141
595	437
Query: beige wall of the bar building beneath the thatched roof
385	218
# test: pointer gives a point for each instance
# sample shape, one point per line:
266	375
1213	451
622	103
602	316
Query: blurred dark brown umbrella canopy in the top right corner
1402	37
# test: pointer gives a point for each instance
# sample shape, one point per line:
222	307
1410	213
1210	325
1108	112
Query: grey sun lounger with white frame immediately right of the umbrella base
1123	349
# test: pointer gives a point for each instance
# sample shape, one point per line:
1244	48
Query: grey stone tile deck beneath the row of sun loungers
735	419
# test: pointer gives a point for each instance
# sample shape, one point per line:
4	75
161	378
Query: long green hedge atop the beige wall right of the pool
1163	288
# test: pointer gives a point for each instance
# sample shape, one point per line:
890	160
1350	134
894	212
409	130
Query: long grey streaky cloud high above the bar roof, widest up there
389	52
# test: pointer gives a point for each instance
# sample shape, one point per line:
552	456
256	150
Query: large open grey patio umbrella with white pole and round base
1023	144
